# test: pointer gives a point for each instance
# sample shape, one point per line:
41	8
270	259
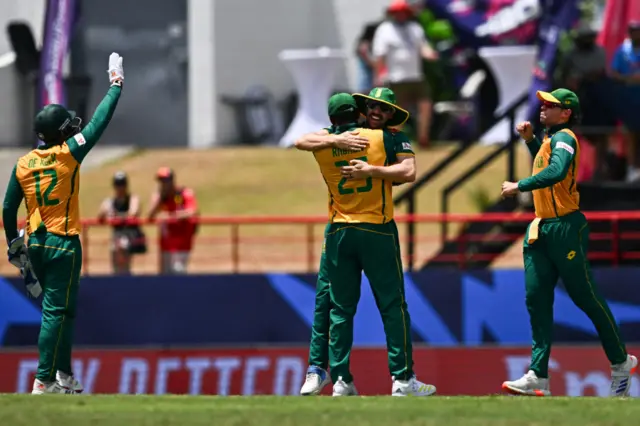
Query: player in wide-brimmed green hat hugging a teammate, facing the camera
381	111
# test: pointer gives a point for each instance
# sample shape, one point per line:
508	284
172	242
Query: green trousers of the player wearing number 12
57	262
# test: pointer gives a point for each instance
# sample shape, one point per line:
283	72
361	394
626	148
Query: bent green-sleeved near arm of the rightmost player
563	151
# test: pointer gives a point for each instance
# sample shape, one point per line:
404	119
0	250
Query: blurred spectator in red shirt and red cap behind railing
176	207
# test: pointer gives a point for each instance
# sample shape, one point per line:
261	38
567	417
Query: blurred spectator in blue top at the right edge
626	70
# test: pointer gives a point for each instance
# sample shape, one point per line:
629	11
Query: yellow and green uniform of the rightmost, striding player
555	246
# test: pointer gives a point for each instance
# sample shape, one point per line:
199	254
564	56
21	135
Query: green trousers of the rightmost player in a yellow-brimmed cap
560	252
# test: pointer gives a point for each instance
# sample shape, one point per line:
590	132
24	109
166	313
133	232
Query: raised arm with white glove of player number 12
83	142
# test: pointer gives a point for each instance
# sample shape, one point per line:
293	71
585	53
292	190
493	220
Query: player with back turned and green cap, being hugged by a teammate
361	236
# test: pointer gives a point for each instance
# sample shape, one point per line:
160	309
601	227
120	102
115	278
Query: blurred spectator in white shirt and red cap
399	45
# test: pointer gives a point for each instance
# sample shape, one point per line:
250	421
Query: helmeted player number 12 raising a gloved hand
47	178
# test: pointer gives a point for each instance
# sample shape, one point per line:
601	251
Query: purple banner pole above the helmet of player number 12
59	20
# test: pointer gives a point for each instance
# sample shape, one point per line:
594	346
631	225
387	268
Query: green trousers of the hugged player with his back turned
374	249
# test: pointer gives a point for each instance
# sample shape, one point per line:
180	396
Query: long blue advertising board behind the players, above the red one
447	307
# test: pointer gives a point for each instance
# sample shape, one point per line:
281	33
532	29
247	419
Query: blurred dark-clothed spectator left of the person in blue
584	71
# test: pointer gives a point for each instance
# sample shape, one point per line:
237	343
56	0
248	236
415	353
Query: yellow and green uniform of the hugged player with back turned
362	236
